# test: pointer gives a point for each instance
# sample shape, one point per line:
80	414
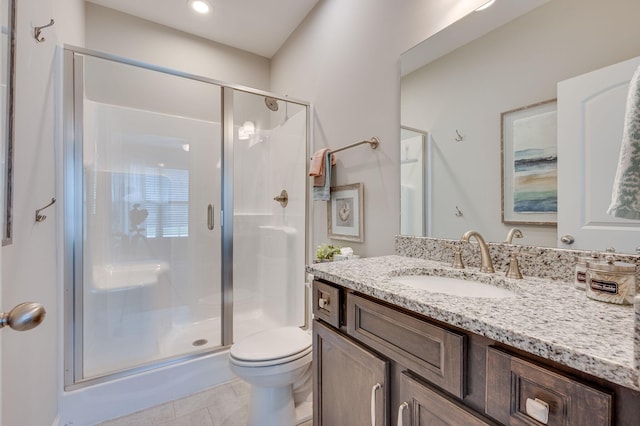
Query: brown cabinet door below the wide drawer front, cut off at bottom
425	406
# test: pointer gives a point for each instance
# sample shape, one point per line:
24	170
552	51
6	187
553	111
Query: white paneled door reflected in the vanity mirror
591	111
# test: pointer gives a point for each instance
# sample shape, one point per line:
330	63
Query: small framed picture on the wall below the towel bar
345	218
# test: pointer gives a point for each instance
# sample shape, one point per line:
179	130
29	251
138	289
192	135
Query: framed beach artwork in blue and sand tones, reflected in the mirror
529	165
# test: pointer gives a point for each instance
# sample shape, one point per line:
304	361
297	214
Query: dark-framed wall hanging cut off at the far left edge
7	77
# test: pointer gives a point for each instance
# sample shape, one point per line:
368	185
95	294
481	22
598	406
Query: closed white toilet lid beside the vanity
271	344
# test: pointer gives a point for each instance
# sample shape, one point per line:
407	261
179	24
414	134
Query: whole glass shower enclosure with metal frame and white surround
174	244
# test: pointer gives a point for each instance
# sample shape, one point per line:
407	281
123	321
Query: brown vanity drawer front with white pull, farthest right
511	381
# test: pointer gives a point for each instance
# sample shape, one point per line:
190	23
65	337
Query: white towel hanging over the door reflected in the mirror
625	199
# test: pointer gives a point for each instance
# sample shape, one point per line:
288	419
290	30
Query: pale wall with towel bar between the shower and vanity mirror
344	59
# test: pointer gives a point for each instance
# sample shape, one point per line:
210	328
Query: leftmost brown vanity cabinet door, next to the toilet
351	383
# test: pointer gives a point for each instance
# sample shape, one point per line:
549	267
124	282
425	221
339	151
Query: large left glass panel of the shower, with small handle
151	173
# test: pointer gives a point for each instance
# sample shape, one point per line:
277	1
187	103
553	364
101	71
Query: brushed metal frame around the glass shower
72	93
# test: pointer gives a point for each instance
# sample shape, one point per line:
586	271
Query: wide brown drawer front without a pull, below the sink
436	354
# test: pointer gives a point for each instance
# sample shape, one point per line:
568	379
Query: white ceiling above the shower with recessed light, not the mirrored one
257	26
